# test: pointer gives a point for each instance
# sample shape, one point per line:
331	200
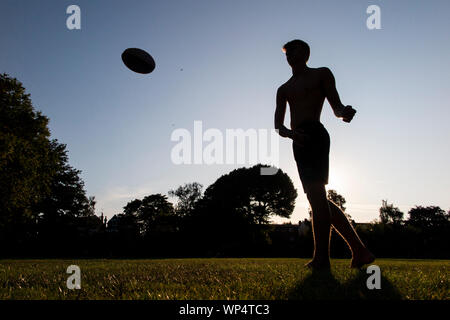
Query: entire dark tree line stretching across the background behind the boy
45	212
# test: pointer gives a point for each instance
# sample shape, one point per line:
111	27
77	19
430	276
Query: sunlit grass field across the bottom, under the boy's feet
223	279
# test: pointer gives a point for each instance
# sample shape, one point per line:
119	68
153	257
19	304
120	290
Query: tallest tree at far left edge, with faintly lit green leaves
26	162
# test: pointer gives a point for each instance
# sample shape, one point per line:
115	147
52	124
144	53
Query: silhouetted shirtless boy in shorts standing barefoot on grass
306	91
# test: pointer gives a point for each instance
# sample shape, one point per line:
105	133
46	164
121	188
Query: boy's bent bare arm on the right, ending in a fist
329	84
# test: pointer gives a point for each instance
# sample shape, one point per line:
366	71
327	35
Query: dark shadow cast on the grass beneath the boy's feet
322	285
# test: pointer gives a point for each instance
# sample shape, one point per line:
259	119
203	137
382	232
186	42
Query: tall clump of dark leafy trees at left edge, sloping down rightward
37	185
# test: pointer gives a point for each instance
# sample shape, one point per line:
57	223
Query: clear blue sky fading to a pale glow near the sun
117	124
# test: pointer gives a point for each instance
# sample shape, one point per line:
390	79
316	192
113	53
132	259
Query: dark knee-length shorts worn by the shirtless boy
313	158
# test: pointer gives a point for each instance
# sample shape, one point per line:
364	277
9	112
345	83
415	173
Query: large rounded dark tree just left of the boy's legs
231	218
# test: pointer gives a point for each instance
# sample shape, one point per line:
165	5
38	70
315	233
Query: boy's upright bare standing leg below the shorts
321	225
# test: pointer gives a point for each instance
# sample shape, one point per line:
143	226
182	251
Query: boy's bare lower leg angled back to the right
360	254
